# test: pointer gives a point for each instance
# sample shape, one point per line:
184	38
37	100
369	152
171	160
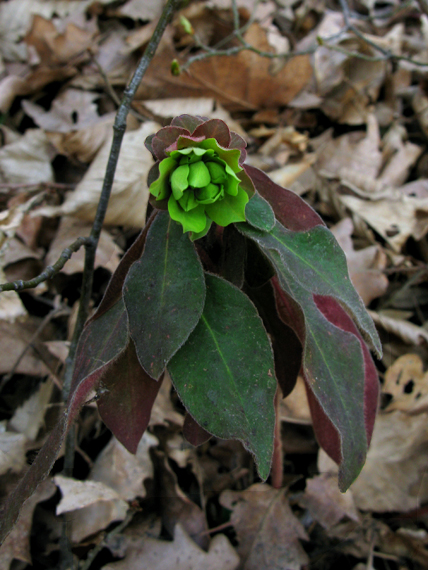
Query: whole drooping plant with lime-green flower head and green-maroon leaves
234	286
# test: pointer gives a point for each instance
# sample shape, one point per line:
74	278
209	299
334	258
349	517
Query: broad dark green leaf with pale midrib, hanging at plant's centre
224	374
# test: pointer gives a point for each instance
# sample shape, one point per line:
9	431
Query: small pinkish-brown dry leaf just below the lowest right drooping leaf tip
326	503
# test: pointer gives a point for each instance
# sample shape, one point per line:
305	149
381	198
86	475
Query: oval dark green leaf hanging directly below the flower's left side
164	294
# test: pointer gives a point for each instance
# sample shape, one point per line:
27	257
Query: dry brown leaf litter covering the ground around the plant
348	134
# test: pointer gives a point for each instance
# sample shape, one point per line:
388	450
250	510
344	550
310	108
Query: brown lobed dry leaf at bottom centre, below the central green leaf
266	528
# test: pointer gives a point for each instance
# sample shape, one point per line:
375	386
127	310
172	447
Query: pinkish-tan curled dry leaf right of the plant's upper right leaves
365	265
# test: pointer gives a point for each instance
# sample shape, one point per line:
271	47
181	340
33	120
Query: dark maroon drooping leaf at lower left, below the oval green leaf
126	396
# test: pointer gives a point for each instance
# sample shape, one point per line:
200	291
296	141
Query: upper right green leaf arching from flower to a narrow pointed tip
315	260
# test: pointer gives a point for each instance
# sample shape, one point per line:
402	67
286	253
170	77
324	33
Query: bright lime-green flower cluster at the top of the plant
202	185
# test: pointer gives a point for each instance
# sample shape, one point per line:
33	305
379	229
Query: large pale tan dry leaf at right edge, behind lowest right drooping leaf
394	475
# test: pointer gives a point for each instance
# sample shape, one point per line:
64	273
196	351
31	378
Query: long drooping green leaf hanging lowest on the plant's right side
337	383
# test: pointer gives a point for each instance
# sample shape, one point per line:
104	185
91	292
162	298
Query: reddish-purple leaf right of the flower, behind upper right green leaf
293	212
